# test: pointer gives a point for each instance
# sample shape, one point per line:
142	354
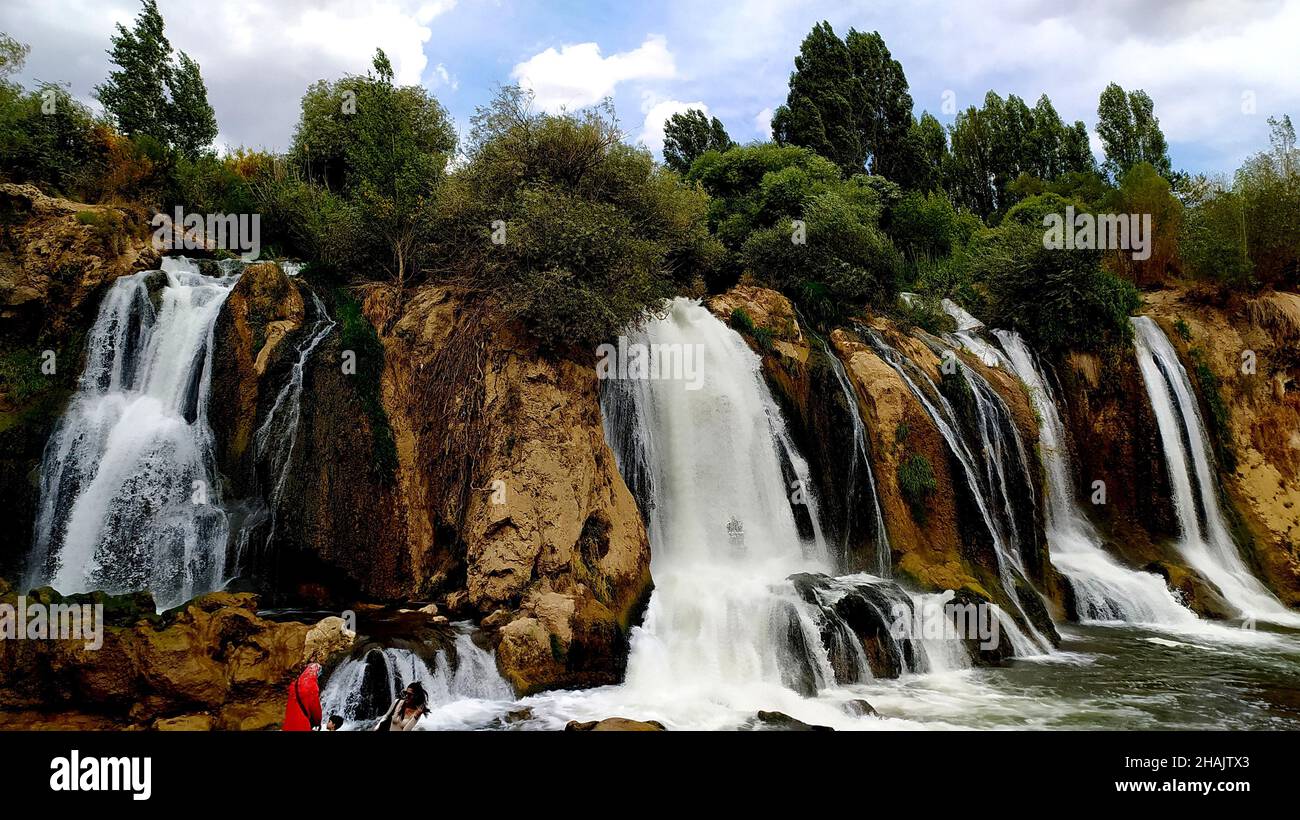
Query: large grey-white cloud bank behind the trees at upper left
257	58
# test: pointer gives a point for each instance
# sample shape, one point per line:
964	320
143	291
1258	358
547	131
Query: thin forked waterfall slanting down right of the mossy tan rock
983	484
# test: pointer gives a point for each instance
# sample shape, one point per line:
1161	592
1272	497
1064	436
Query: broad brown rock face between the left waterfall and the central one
504	494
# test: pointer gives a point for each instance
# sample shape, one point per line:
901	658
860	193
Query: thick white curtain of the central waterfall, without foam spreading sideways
723	613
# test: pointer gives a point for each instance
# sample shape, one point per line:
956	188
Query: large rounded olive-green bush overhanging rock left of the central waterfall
592	232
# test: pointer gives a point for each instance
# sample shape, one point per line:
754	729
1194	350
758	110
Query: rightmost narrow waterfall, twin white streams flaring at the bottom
1206	543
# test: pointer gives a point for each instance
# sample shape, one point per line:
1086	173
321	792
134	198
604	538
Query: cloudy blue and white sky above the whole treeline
1217	70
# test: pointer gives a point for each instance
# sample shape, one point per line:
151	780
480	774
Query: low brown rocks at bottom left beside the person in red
211	663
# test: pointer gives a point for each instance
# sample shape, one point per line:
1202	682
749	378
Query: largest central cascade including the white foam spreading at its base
735	624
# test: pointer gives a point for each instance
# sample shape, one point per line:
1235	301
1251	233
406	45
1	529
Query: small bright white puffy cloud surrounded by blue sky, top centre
578	76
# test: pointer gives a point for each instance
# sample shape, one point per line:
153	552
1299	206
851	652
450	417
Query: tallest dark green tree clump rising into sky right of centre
850	102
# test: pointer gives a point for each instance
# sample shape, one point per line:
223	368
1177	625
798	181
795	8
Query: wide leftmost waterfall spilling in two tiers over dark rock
129	497
